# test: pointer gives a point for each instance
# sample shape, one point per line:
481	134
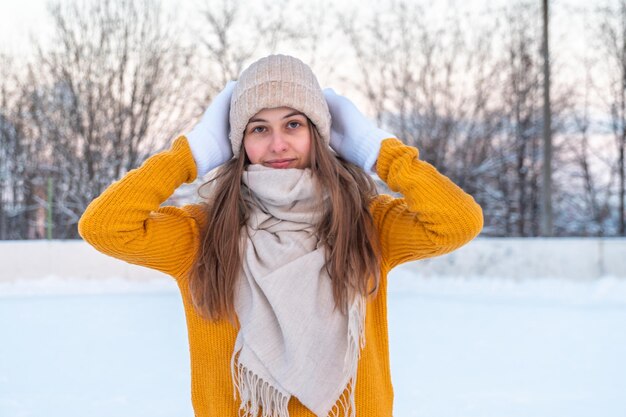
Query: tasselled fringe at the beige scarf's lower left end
256	394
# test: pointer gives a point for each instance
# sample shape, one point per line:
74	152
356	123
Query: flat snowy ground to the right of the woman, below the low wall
495	347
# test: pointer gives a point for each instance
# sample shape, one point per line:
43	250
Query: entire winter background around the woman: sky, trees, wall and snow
529	319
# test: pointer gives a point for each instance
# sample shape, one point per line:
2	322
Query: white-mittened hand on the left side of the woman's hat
208	139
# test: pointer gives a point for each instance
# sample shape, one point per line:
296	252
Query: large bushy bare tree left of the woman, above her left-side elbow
110	90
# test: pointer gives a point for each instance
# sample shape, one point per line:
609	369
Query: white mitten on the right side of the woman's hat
352	135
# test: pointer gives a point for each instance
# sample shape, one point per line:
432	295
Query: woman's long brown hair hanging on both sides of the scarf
347	230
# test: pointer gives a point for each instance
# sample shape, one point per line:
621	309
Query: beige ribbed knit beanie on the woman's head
277	81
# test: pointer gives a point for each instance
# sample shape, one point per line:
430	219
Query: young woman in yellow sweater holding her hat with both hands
283	270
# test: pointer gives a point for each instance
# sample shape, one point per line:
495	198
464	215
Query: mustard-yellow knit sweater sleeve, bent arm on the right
434	217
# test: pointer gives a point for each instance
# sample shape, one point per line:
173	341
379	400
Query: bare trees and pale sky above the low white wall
89	89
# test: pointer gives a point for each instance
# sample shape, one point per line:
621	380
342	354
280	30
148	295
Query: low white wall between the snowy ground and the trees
516	258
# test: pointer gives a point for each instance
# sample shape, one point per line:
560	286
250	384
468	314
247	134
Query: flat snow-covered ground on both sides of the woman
471	347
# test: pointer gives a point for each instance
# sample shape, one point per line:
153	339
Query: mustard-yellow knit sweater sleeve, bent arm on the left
127	222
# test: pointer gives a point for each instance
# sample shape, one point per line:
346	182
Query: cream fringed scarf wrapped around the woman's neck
292	340
